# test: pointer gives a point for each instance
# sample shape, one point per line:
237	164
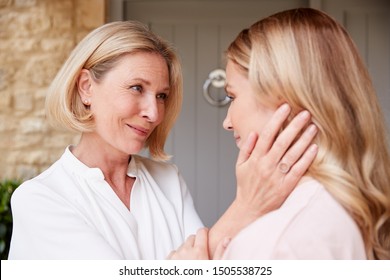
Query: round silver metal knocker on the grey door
217	78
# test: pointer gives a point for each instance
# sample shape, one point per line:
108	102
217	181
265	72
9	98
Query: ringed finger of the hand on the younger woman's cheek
300	146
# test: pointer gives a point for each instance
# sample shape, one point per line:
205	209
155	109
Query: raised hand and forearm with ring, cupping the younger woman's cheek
261	186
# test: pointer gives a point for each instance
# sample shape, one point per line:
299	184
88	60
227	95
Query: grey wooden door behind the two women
201	30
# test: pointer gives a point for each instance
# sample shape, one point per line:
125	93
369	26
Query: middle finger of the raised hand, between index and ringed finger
289	135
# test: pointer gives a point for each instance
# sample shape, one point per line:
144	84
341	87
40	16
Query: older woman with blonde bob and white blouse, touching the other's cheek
121	88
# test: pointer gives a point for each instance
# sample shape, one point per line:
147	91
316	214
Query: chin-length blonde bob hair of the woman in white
99	52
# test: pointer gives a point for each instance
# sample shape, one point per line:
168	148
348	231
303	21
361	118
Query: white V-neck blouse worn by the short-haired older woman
70	212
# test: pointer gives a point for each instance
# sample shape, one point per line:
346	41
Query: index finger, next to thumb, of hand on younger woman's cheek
271	130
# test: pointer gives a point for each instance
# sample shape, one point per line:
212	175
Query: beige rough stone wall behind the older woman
36	36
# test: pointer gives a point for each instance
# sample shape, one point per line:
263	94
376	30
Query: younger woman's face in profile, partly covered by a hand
246	113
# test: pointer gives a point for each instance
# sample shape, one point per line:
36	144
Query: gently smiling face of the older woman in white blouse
129	102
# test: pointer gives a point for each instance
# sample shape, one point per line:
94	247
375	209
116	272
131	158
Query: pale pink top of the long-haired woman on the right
310	224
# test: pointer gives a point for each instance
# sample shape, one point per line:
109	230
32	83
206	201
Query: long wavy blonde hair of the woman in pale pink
305	58
